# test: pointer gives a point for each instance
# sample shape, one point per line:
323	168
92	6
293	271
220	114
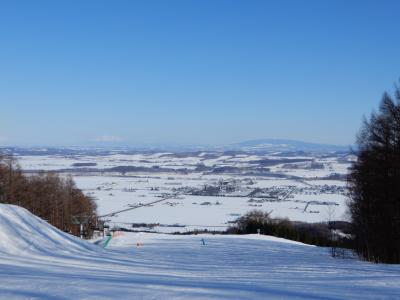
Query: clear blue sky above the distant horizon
208	72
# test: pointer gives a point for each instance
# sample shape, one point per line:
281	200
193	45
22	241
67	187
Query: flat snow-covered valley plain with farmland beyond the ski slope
307	187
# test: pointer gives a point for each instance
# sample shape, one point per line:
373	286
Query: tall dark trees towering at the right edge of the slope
374	184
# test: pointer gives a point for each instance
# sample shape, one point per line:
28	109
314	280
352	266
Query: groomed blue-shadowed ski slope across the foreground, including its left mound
38	261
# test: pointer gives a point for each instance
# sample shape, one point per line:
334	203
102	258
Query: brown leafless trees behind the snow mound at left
49	196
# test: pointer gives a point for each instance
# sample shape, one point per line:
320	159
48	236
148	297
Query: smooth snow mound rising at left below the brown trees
22	232
